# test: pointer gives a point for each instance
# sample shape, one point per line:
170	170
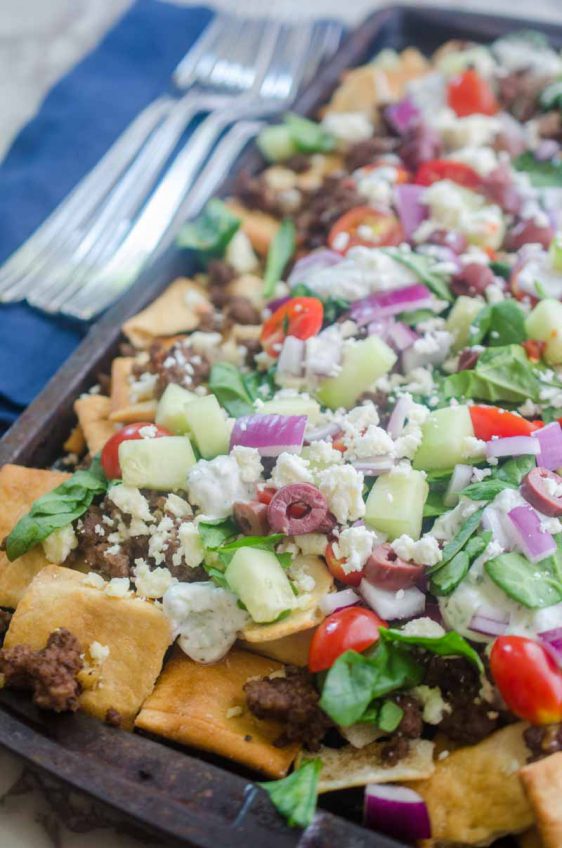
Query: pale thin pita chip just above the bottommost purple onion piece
343	768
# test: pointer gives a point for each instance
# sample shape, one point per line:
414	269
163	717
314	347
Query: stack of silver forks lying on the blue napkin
129	208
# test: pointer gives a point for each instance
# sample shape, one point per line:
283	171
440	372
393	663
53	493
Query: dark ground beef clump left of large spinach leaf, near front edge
293	701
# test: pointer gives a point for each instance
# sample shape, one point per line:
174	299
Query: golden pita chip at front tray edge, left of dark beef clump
204	706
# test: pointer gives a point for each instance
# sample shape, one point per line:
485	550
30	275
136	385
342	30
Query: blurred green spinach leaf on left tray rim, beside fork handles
210	233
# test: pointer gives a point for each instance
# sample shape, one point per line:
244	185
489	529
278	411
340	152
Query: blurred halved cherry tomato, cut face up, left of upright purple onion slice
365	227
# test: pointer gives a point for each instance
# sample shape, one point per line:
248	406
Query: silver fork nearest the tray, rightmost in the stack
299	51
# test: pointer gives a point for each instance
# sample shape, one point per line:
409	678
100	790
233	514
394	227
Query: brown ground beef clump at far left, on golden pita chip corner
50	673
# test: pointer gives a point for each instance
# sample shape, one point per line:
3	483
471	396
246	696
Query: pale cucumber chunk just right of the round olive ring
395	504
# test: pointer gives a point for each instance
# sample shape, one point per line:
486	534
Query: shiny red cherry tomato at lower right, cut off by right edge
528	678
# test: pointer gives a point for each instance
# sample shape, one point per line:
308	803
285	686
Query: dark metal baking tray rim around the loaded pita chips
184	796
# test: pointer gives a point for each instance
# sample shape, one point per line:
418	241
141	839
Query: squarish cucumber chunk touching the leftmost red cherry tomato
162	464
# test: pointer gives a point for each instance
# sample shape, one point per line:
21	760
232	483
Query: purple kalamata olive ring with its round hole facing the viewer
310	516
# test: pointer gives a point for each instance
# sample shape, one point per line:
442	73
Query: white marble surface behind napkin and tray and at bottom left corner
39	41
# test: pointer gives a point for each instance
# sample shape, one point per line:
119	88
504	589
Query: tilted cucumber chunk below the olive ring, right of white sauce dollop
258	579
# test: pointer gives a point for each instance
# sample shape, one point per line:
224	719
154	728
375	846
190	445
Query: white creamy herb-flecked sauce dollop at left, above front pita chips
206	618
